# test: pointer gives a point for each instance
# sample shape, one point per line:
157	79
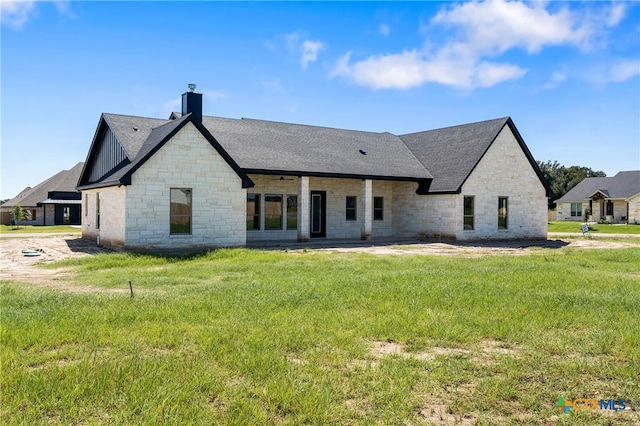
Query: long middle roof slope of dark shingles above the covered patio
283	148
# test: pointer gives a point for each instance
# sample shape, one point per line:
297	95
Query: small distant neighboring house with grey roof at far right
615	199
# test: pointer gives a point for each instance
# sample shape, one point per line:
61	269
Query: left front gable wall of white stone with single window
218	199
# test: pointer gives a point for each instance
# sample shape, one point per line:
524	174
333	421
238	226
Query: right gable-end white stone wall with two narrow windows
504	171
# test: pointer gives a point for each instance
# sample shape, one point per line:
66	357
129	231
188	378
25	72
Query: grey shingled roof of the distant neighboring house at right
621	186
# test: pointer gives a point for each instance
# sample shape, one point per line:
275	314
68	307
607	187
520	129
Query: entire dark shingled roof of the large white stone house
446	156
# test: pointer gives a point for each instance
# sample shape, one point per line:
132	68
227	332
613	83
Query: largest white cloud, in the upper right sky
480	33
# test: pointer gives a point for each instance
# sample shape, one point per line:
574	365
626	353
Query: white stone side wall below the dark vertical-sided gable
112	216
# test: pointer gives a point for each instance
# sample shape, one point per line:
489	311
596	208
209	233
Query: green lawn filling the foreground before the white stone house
250	337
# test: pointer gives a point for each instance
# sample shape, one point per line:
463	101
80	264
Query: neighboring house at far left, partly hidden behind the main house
52	202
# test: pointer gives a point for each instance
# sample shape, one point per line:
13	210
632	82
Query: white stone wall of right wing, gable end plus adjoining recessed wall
503	171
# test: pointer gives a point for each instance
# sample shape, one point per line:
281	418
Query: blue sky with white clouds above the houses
568	73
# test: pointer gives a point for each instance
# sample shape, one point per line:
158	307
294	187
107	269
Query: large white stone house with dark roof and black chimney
194	181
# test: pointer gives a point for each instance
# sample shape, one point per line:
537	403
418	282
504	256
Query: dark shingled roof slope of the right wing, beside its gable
451	153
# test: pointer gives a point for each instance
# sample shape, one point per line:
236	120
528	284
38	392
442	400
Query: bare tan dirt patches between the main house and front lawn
15	266
